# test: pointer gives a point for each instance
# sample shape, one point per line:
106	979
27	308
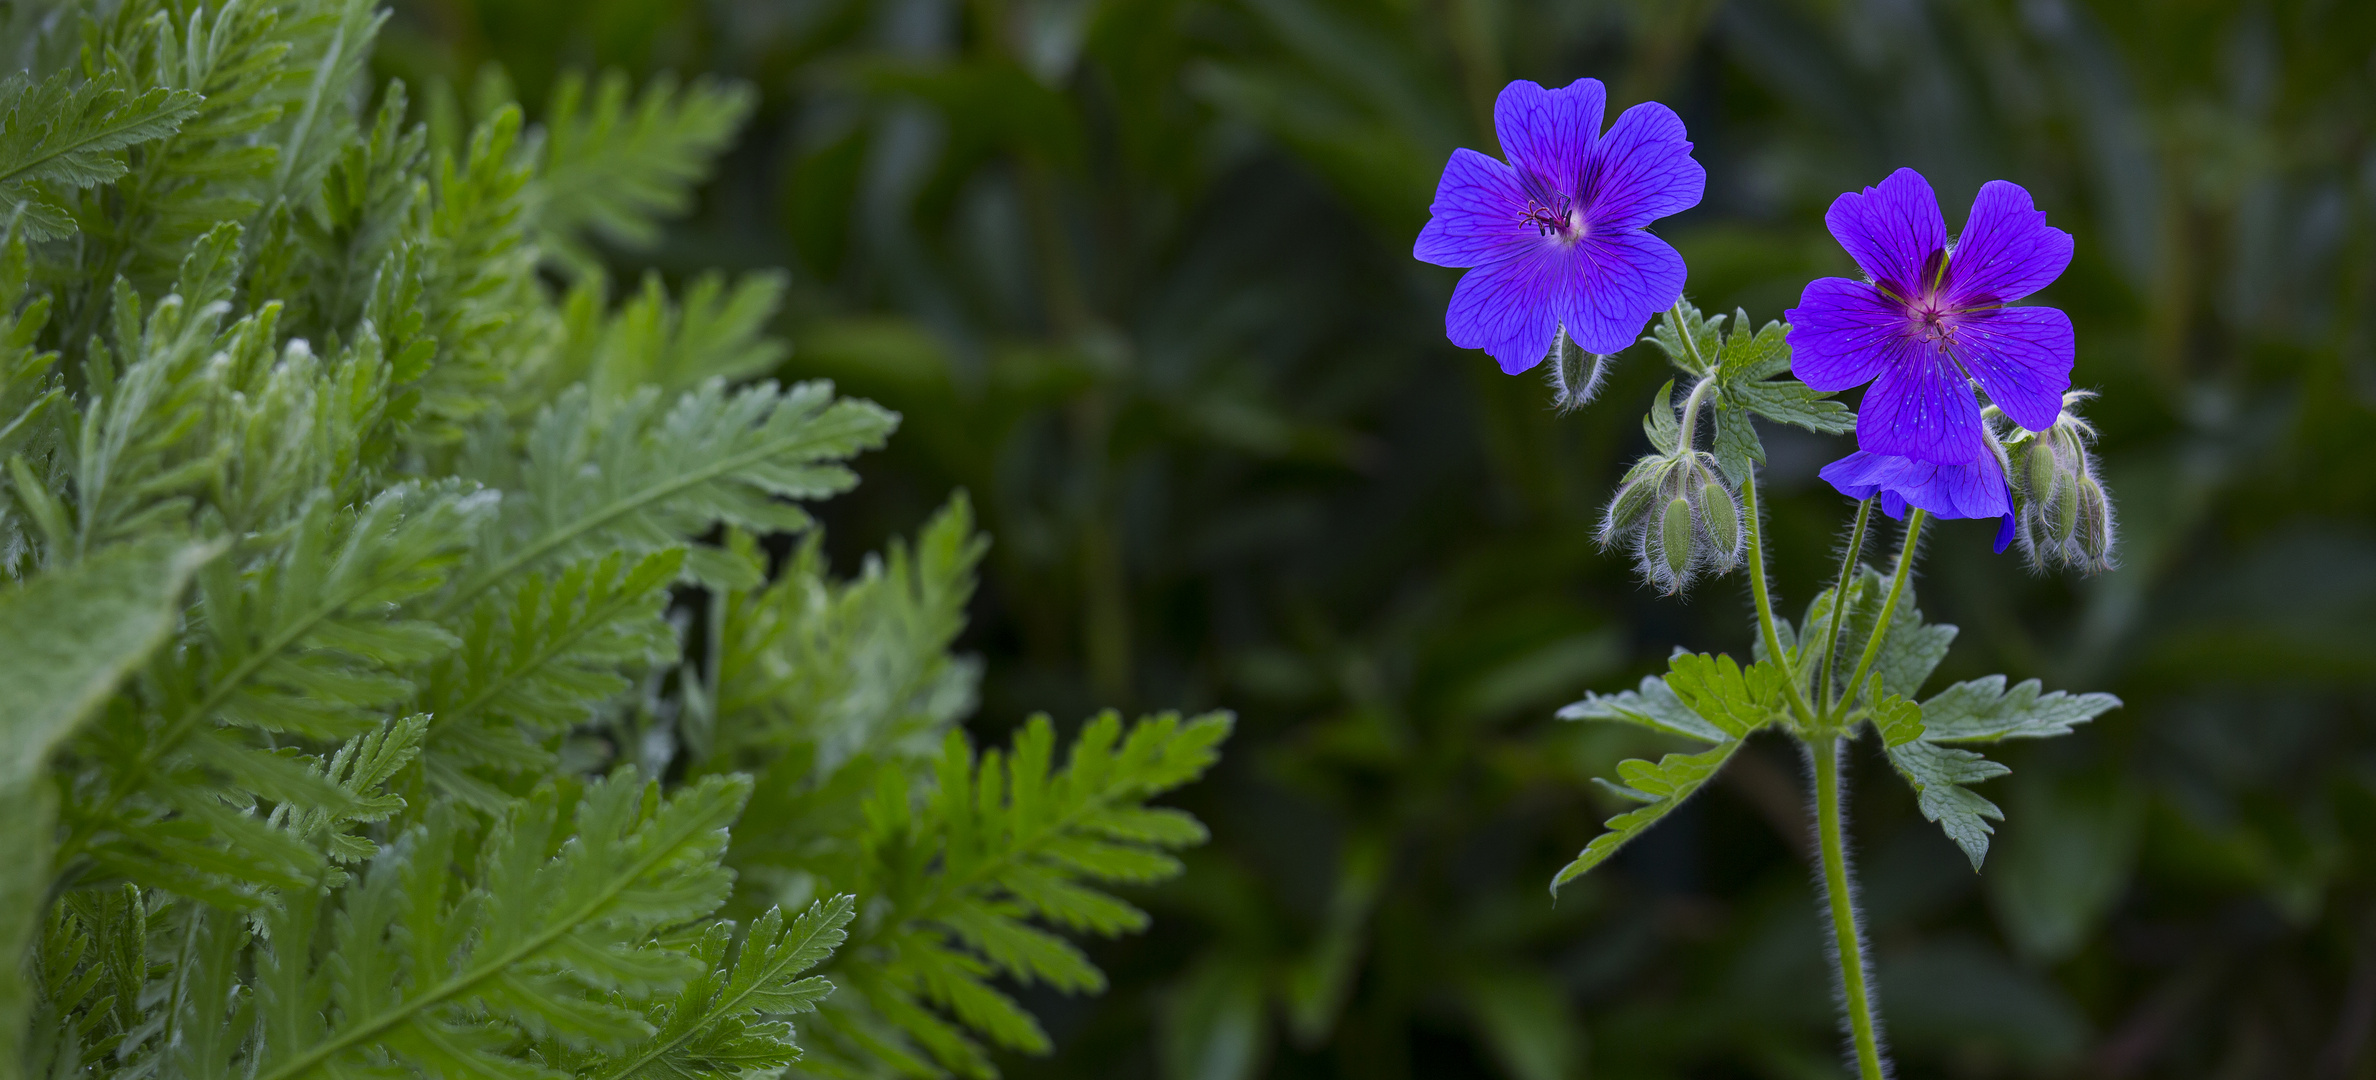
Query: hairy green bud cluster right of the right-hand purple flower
2066	521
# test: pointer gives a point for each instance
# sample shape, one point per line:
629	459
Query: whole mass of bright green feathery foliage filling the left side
350	568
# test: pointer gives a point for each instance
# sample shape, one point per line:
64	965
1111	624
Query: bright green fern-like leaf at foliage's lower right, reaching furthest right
975	879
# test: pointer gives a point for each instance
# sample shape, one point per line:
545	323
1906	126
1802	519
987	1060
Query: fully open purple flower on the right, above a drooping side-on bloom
1935	319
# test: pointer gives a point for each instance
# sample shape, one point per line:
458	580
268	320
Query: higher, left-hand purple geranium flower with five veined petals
1555	236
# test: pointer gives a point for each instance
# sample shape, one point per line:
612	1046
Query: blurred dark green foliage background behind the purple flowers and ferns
1137	274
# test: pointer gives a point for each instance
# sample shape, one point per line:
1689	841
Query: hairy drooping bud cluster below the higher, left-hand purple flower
1679	516
